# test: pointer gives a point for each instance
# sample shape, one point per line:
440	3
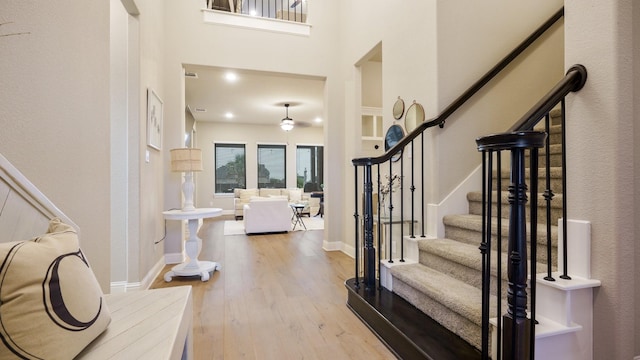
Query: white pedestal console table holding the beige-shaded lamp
192	266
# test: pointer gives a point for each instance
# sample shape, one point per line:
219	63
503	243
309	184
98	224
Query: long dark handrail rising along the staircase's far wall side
466	95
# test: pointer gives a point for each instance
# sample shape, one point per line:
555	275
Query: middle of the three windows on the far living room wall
272	167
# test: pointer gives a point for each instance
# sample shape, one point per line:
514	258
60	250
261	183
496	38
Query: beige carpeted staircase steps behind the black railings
445	282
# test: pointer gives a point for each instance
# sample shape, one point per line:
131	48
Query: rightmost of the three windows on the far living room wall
309	168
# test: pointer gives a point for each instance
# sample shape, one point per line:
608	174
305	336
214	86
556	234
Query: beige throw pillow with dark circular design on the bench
51	304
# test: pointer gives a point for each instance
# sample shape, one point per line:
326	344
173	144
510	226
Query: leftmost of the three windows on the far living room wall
230	167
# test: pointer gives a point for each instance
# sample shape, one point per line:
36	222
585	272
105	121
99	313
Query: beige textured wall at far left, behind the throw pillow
54	111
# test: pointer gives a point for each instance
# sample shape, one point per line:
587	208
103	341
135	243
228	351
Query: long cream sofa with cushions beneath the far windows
242	197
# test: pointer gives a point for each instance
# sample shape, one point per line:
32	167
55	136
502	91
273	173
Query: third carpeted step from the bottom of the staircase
474	223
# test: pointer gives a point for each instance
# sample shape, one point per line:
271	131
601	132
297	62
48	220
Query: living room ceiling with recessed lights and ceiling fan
254	97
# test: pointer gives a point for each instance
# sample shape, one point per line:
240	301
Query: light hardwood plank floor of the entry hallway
277	296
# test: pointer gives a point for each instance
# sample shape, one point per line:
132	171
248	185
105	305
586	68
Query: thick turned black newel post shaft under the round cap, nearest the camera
516	325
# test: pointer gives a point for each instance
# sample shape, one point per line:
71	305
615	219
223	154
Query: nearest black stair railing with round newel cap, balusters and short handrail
519	328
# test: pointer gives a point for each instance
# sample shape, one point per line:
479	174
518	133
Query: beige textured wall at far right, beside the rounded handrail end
601	136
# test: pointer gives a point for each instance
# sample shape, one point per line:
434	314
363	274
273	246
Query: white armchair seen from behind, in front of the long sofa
265	215
